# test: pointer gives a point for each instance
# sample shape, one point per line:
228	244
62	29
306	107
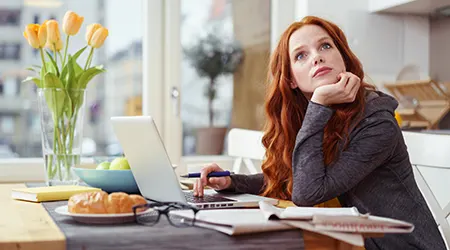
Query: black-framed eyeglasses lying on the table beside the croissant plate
178	214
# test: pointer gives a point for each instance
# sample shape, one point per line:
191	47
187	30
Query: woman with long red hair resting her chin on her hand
330	135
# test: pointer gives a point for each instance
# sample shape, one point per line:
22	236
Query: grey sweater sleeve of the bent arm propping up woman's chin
313	182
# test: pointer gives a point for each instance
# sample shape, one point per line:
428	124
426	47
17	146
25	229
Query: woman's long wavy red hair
285	110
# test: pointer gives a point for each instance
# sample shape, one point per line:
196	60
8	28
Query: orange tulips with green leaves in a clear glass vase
62	83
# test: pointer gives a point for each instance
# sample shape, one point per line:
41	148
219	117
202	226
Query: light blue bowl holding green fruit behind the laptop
109	180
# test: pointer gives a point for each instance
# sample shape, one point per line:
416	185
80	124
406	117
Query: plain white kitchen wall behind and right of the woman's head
384	43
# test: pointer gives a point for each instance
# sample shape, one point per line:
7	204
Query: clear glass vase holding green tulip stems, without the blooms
61	114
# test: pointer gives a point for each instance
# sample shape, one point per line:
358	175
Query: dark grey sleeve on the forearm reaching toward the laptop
249	184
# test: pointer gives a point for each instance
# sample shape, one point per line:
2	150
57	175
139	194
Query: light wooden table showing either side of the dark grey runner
28	226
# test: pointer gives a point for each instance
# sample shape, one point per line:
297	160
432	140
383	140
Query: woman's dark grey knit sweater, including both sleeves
373	174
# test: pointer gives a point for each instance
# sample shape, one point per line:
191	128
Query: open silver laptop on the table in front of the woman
153	172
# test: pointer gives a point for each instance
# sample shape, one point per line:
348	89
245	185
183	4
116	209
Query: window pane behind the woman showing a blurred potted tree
218	93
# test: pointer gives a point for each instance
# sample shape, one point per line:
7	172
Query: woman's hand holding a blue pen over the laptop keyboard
218	183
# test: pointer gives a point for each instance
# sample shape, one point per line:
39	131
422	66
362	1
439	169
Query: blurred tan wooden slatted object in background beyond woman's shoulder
429	102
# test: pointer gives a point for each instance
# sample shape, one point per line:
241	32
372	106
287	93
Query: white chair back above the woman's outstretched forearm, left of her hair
247	147
